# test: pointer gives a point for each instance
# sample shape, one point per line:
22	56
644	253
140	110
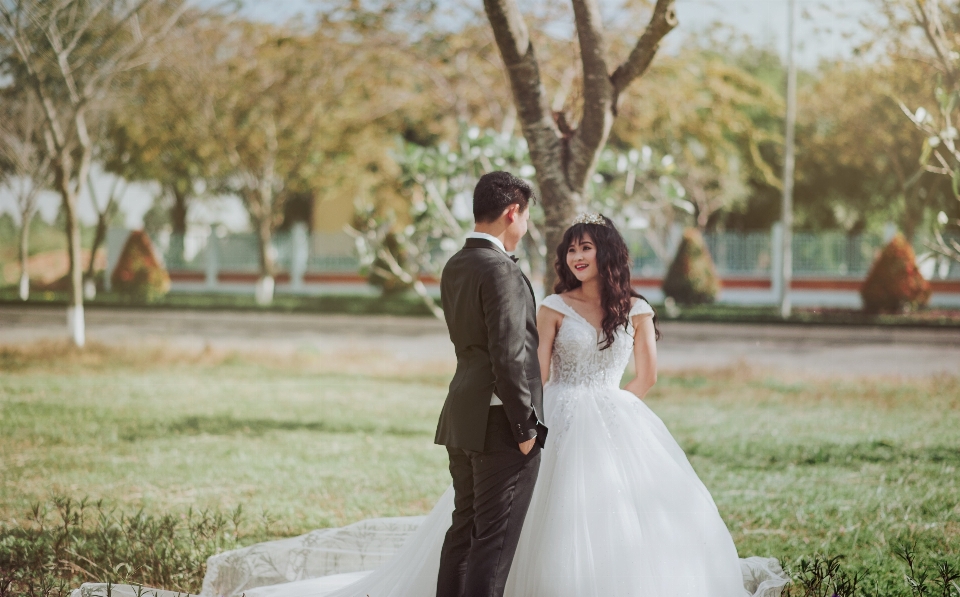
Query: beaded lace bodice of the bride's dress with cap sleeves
577	358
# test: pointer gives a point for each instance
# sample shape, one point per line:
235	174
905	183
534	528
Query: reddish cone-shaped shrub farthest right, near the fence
894	284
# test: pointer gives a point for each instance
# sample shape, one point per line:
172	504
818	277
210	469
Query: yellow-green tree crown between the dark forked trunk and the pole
724	135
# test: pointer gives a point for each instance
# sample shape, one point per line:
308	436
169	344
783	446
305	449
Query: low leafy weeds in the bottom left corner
65	542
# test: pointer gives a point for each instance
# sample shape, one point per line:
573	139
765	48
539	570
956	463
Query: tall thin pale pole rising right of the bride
786	251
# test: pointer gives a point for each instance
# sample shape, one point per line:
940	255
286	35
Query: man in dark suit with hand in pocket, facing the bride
491	420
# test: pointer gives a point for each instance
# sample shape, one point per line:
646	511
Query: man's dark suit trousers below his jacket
492	491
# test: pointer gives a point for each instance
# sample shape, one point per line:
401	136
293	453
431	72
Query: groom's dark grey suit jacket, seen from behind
491	316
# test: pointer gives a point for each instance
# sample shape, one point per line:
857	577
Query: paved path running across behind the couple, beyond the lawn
420	342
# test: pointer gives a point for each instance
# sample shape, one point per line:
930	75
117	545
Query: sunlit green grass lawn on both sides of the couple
797	467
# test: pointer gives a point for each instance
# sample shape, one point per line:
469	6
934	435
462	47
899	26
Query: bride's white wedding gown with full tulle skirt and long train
617	511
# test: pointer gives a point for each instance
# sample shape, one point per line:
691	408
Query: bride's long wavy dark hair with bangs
613	264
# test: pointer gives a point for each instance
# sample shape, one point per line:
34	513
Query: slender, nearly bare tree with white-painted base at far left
70	53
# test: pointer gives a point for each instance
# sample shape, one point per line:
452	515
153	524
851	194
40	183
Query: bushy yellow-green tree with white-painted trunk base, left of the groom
282	102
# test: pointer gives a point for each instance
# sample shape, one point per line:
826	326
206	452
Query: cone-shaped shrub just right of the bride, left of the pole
692	279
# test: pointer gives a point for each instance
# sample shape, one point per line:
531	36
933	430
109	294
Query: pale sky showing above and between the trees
825	30
